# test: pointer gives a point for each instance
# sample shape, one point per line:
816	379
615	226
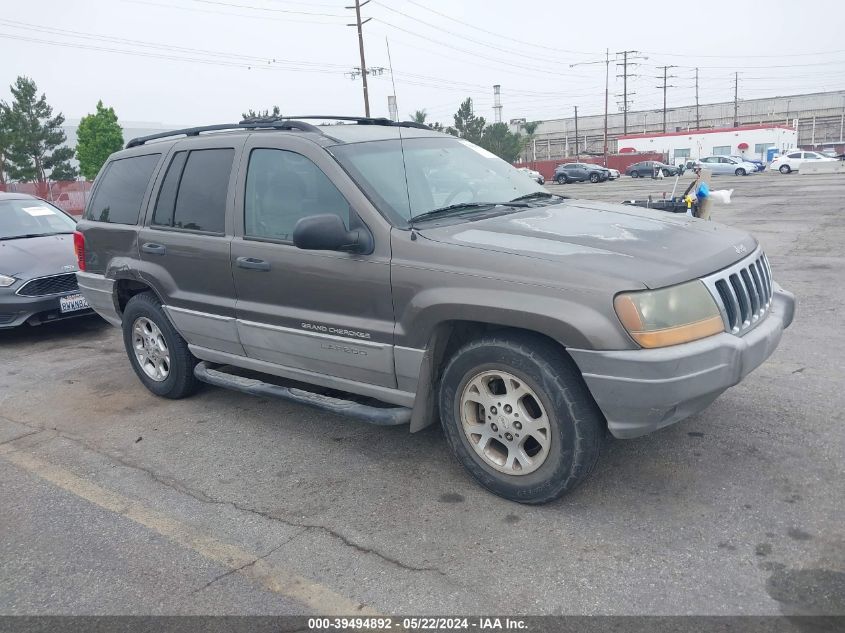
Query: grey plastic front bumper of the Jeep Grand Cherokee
640	391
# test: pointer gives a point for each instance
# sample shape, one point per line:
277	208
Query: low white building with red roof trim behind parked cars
750	141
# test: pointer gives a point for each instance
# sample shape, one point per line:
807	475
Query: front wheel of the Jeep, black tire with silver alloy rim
519	418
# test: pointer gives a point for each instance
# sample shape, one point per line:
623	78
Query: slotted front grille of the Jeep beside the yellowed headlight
743	292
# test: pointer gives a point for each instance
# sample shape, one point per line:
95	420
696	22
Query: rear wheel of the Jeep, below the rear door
159	355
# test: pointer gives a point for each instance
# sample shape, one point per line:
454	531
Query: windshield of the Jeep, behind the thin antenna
438	172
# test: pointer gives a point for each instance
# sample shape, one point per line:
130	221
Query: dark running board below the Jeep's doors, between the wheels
381	416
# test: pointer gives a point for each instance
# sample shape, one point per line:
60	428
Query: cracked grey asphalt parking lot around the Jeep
114	501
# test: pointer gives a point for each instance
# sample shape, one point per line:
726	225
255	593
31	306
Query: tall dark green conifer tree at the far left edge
34	145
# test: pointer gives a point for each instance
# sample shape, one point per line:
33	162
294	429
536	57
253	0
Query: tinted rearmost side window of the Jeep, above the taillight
121	191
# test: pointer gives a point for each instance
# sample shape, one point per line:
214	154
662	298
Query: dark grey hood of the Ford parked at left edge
30	257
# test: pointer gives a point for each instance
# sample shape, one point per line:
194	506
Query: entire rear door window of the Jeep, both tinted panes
193	194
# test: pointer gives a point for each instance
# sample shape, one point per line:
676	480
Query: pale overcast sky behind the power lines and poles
206	61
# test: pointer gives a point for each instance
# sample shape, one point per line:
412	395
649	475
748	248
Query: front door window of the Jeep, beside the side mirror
283	187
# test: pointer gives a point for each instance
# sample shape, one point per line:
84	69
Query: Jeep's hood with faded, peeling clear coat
641	246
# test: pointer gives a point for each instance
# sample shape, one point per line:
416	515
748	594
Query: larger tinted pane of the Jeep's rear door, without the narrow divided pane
201	201
